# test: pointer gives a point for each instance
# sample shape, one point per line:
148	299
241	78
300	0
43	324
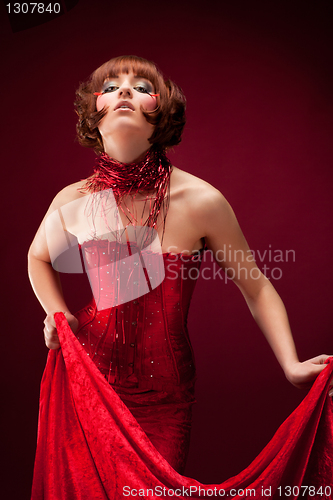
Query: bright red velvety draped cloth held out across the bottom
90	446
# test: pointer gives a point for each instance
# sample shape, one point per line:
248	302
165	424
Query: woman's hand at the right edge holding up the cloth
302	375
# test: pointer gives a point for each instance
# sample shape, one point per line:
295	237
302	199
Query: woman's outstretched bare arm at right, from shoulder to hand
222	232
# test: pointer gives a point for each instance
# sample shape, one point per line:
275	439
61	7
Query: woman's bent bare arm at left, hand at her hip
45	280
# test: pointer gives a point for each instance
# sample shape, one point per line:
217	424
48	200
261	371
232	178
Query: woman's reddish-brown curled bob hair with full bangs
168	117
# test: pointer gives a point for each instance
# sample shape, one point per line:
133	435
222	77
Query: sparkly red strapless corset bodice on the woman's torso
143	342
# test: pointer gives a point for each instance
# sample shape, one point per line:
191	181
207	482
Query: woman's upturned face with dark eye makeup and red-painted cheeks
124	96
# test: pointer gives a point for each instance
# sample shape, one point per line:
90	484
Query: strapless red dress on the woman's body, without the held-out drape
142	347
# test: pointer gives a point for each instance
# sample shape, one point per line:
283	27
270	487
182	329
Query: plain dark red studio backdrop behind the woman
258	80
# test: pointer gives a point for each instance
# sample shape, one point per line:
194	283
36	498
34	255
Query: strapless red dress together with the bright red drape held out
115	406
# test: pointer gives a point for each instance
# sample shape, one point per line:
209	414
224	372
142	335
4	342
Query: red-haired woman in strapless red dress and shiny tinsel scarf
136	206
